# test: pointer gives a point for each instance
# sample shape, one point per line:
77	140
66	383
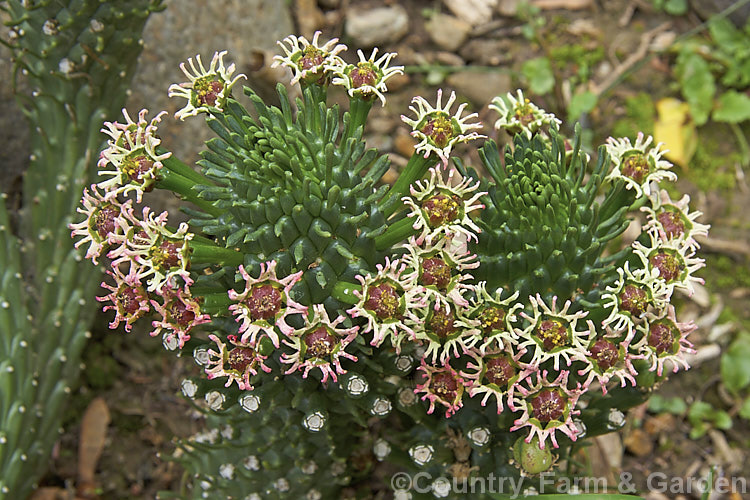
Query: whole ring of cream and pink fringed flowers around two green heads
535	358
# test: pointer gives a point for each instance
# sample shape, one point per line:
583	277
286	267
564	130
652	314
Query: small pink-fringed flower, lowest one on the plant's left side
238	362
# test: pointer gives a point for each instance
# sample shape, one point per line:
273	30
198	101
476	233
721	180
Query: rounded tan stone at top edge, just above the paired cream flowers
379	26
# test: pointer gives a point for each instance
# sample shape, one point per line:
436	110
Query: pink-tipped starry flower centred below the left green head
320	344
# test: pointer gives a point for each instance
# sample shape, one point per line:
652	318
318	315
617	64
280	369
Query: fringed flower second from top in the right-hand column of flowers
673	219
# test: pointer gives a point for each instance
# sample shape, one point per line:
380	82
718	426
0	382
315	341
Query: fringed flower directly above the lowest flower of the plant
553	334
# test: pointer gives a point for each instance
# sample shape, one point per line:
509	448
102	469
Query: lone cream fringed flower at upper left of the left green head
206	88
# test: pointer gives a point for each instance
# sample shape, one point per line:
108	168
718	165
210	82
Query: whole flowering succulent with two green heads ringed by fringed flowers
450	324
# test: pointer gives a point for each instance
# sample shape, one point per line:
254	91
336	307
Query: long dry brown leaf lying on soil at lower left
91	443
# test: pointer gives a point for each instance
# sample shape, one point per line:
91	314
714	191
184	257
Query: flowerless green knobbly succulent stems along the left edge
76	57
